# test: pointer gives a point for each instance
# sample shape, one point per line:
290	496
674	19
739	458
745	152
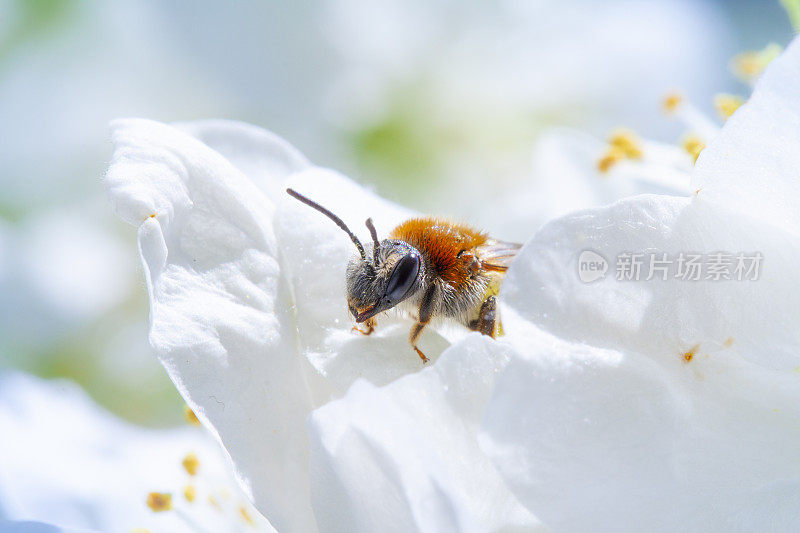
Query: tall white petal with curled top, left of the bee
220	312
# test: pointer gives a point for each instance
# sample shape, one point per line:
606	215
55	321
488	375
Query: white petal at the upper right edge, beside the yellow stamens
752	167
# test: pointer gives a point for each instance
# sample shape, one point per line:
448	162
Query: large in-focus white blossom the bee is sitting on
607	405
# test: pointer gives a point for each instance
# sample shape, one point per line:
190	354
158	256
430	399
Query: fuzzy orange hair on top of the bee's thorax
441	242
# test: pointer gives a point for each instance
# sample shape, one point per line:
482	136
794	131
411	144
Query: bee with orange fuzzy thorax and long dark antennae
429	268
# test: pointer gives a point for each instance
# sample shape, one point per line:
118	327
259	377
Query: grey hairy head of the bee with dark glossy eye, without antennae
378	285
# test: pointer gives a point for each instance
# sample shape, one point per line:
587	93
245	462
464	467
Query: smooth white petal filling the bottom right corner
628	440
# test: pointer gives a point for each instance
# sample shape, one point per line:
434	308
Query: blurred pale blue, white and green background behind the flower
436	104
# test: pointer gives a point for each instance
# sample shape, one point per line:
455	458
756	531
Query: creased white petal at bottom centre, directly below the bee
404	457
